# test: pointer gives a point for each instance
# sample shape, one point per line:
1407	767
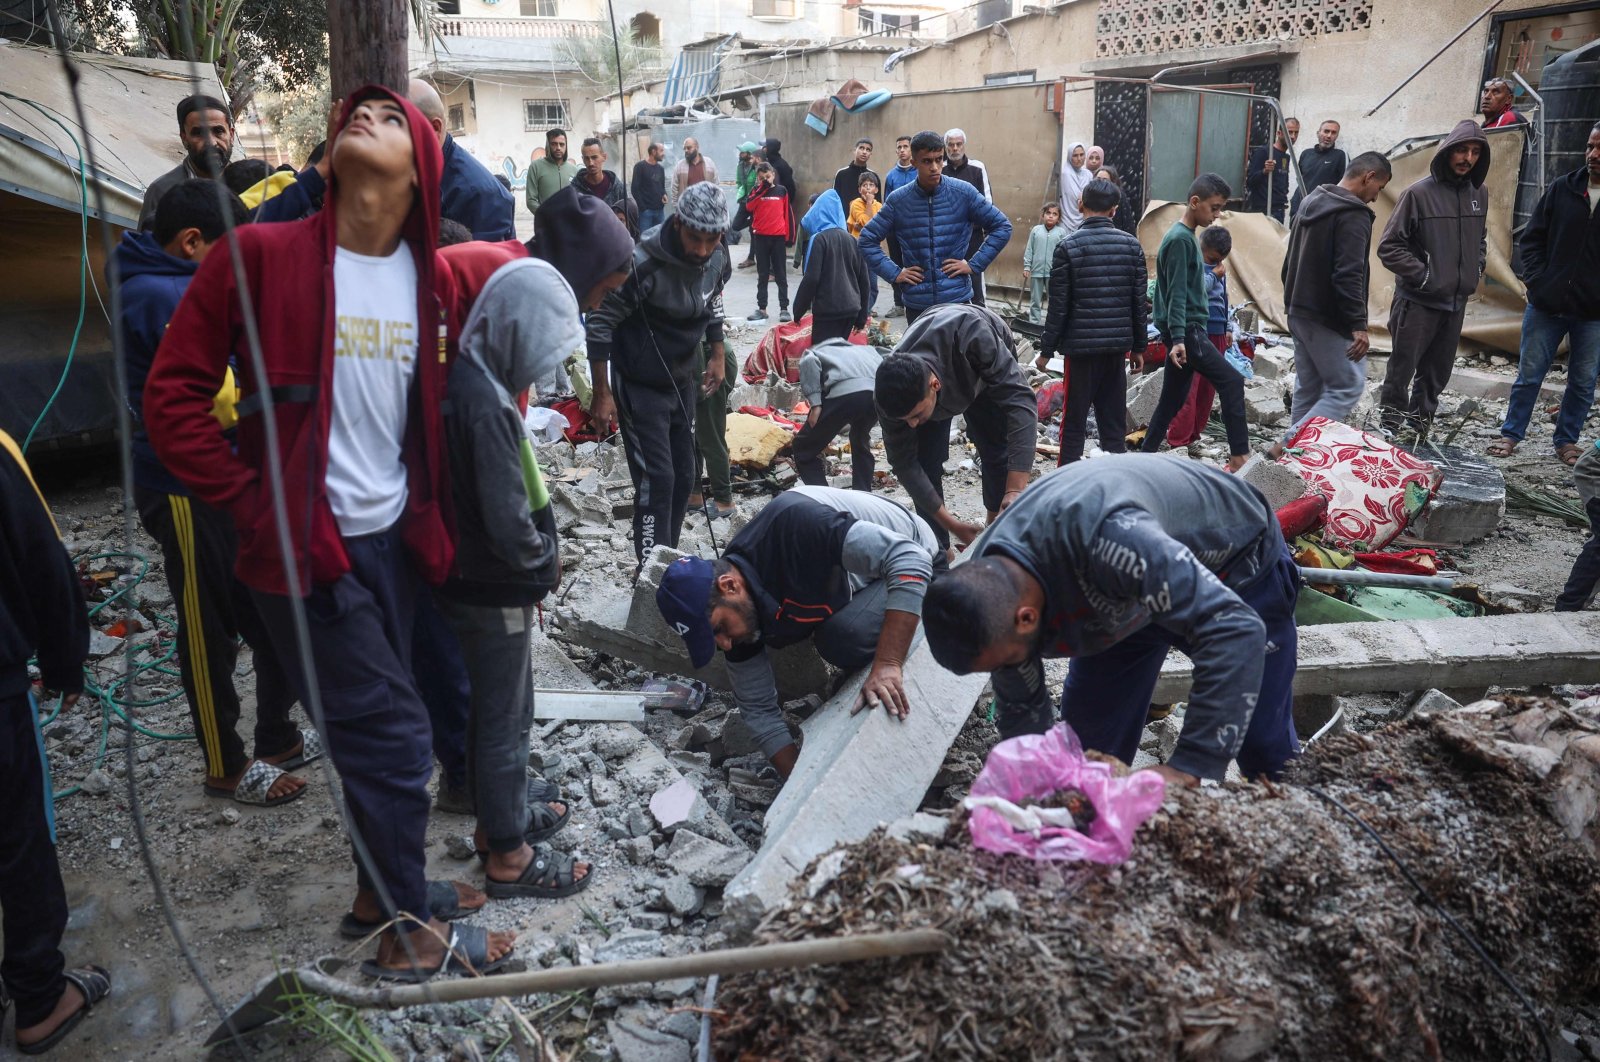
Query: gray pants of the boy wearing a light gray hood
497	645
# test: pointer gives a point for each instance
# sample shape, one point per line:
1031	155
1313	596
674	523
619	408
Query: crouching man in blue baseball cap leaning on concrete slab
846	569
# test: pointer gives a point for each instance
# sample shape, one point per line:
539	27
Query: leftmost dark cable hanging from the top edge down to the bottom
126	436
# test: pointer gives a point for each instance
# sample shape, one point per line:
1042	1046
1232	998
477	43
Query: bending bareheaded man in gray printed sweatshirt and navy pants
1114	562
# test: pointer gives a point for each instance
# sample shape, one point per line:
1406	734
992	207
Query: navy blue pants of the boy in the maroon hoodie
375	725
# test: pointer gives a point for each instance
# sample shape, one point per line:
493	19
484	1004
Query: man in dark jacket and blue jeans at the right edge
1561	265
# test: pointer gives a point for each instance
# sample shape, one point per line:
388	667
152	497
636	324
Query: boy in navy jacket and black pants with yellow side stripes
199	541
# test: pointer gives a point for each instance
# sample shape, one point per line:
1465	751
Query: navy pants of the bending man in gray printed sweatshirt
1108	697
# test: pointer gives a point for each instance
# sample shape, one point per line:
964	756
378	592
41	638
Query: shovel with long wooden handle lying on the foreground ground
278	996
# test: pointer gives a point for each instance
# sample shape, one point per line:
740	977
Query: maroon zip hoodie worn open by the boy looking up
289	281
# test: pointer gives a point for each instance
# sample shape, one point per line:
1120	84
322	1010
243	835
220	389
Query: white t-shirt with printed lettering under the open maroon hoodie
375	348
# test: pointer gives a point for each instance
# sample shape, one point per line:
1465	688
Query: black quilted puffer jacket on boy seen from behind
1098	285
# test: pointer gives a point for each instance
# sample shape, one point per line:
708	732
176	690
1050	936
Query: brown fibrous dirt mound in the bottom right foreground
1252	922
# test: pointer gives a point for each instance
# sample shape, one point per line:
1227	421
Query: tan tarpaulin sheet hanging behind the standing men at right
1255	269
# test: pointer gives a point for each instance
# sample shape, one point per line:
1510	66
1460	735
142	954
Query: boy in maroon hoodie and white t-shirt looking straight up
350	309
